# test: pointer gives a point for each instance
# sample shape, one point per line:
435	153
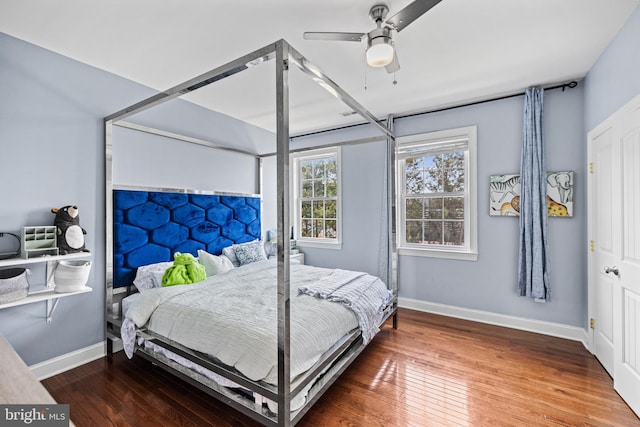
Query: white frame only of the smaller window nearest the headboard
296	220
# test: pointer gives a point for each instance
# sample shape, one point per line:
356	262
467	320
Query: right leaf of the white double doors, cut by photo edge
626	303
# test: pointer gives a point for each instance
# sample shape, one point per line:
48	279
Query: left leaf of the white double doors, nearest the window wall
602	238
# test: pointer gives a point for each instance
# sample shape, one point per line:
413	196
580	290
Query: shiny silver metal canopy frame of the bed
284	55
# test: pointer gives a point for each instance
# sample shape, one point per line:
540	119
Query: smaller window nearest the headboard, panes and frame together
316	181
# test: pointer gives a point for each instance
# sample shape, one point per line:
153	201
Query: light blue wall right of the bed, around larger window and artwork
490	283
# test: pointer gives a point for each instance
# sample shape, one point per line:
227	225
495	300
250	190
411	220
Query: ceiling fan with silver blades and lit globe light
380	45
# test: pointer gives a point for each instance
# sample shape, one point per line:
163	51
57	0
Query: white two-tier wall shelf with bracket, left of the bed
48	294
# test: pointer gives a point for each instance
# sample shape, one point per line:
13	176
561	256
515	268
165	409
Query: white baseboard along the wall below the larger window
573	333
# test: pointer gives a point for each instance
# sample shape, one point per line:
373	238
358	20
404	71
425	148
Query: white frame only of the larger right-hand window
470	250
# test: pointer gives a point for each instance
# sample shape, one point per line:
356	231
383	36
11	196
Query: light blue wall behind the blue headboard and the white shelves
52	154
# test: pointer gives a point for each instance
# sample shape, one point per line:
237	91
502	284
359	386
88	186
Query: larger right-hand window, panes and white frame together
437	194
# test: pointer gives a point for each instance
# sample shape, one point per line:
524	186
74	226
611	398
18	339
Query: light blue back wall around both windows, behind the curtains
489	284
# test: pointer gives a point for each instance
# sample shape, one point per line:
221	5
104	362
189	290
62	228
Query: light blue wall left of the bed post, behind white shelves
52	155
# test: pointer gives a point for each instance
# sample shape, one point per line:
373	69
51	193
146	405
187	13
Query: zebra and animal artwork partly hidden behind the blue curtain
504	194
